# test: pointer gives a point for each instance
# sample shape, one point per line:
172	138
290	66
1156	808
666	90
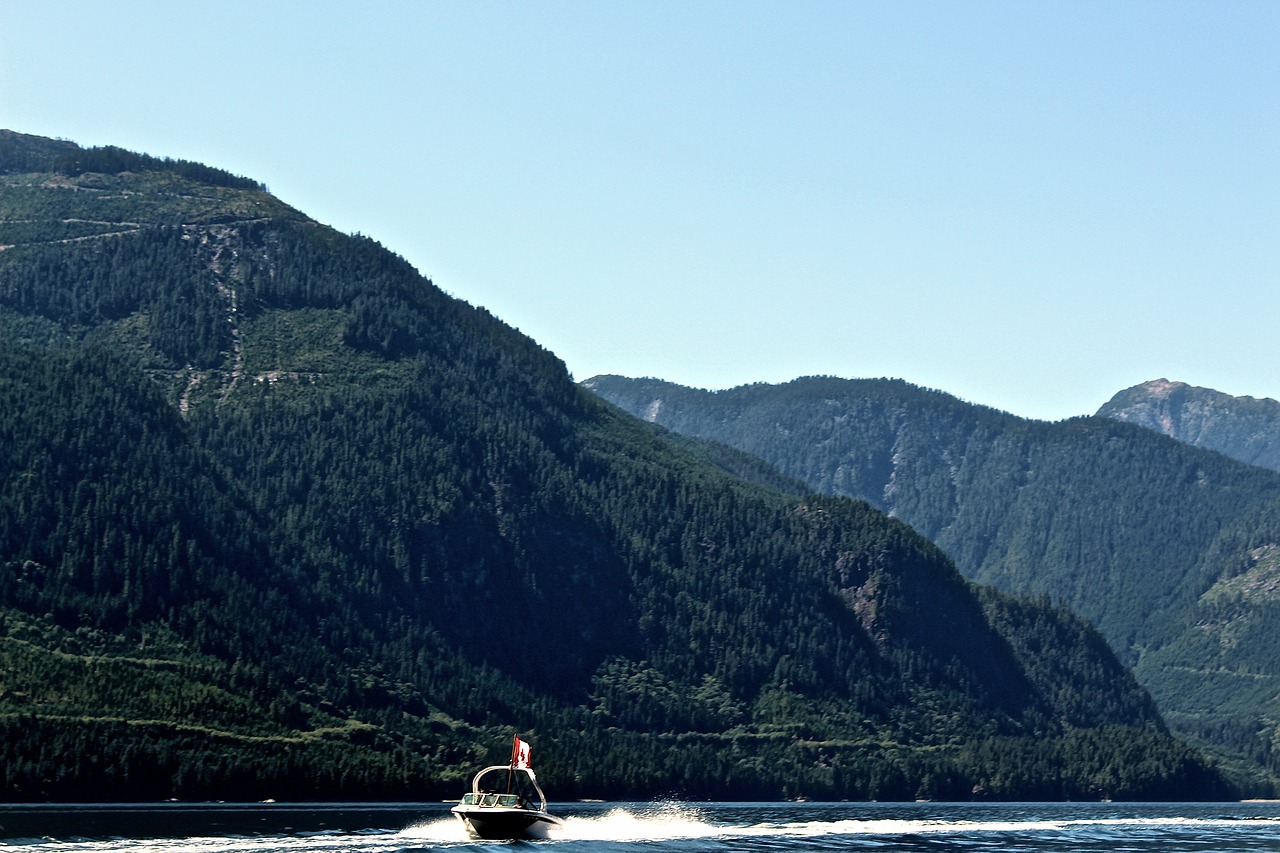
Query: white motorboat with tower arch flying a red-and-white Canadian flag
506	801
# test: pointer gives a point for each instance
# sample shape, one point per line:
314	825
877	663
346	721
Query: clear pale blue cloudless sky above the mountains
1031	206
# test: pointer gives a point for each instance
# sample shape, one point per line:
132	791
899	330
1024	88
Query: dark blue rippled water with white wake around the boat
660	828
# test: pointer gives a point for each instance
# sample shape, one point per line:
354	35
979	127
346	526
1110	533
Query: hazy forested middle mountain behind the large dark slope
1168	549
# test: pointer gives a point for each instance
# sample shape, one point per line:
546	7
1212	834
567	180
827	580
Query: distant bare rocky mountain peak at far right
1245	428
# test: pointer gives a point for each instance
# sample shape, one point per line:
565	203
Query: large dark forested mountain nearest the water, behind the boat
280	518
